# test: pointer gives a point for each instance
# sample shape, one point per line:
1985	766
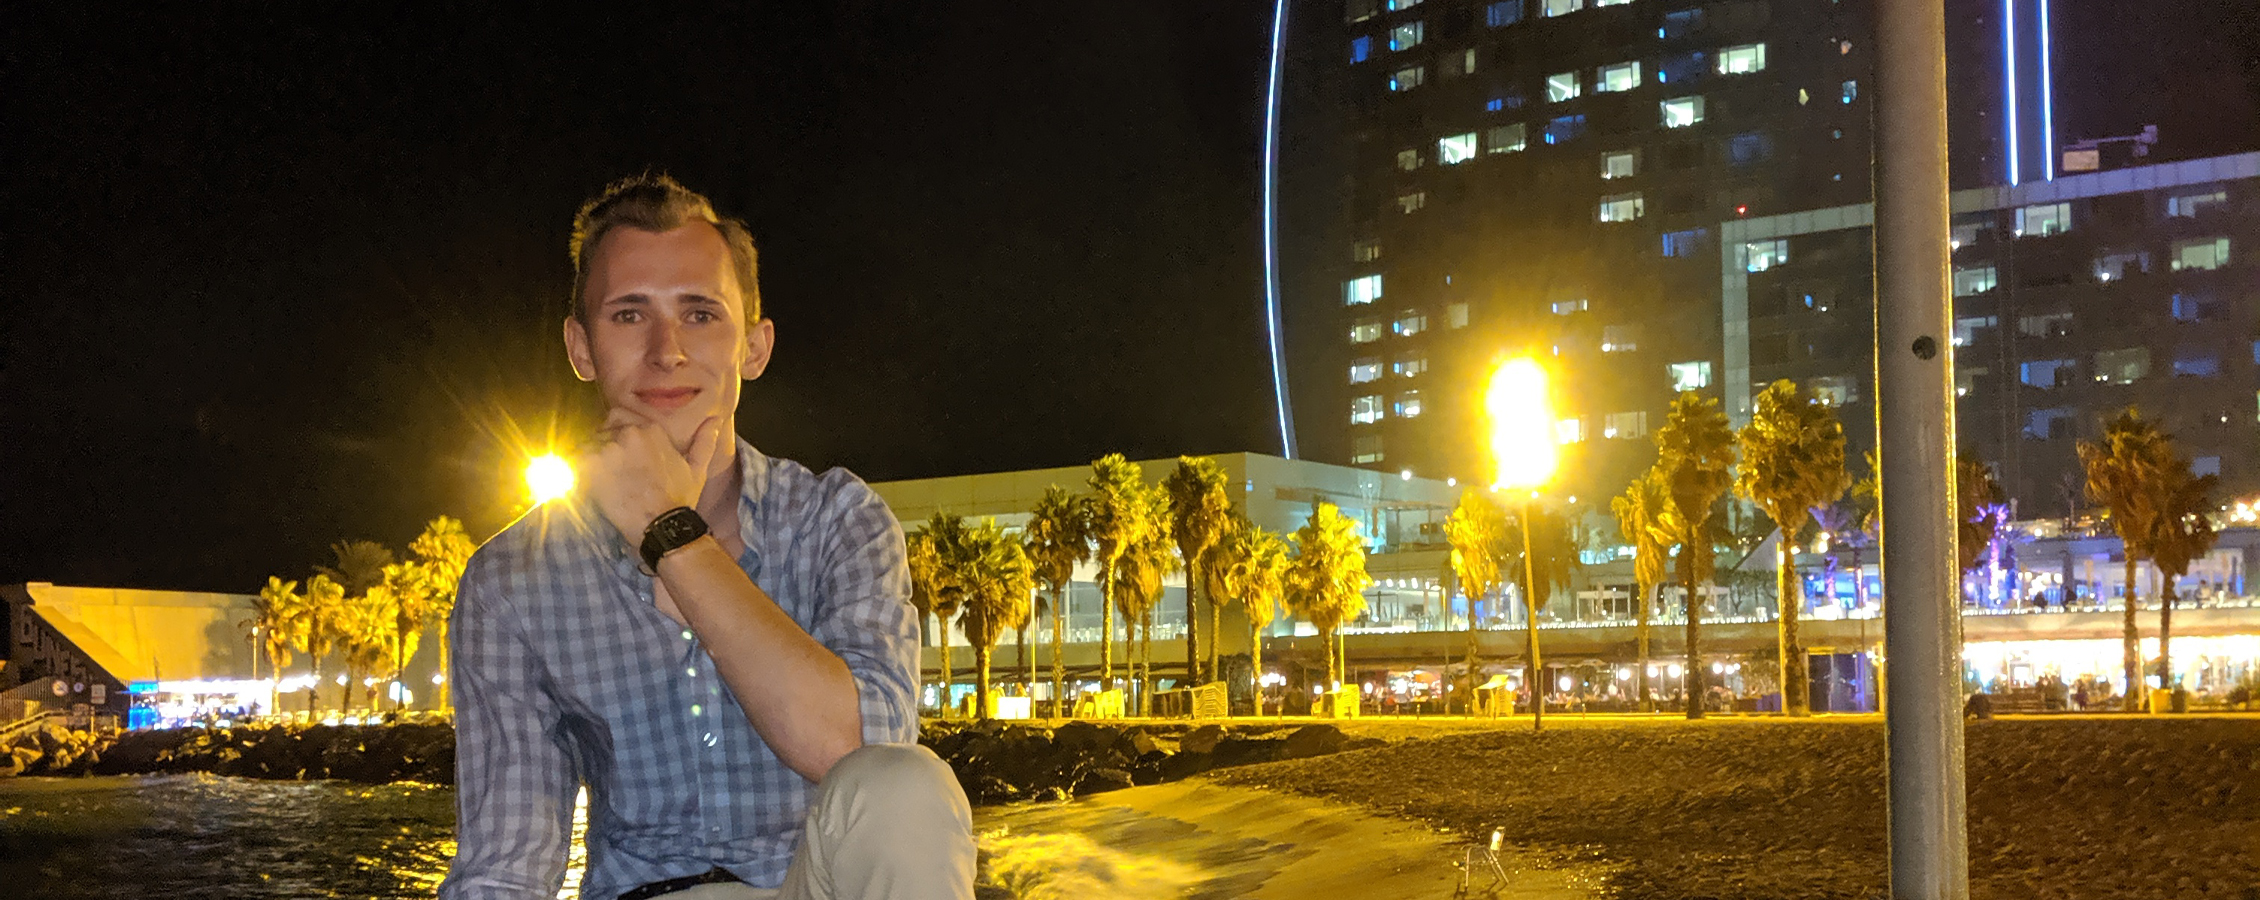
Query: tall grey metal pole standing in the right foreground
1915	433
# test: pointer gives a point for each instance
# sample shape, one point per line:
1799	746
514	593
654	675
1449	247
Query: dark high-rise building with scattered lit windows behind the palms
1662	196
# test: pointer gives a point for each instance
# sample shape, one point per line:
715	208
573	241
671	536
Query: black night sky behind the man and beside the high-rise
279	277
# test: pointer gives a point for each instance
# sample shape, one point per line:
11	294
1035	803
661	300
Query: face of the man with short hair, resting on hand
668	334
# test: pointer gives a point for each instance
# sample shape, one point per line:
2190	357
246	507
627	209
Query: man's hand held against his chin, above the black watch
638	474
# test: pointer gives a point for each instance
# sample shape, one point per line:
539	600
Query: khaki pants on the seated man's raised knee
889	824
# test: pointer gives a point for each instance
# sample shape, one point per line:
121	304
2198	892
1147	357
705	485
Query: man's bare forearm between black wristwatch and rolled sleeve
799	695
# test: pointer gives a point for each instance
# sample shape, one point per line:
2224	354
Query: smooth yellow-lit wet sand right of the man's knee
1201	840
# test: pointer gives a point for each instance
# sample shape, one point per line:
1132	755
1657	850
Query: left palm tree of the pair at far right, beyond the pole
2126	476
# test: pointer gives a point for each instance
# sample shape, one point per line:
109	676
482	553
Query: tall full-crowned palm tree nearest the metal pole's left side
1793	460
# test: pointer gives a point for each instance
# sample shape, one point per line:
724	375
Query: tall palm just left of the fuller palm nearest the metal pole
1696	460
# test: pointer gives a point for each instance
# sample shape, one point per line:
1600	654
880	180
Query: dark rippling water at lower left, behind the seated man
191	838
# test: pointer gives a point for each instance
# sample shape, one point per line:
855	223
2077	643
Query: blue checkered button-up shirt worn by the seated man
568	675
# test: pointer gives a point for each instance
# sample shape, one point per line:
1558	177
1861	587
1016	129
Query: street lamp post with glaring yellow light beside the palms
1524	458
